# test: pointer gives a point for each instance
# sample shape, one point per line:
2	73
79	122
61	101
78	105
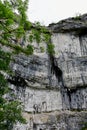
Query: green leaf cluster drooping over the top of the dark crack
41	33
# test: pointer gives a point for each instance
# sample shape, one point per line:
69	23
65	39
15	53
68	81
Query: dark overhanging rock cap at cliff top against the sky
77	24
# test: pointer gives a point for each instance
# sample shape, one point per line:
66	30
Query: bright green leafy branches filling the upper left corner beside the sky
13	26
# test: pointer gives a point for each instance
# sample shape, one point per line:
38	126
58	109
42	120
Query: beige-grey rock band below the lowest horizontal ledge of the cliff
57	120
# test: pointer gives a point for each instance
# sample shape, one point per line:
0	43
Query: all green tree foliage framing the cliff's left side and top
13	30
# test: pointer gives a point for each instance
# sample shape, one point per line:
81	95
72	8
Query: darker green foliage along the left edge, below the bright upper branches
10	111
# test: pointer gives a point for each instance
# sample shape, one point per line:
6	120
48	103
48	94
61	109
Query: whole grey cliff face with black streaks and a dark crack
54	90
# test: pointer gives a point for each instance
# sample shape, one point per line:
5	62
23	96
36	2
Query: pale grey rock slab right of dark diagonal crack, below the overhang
71	54
